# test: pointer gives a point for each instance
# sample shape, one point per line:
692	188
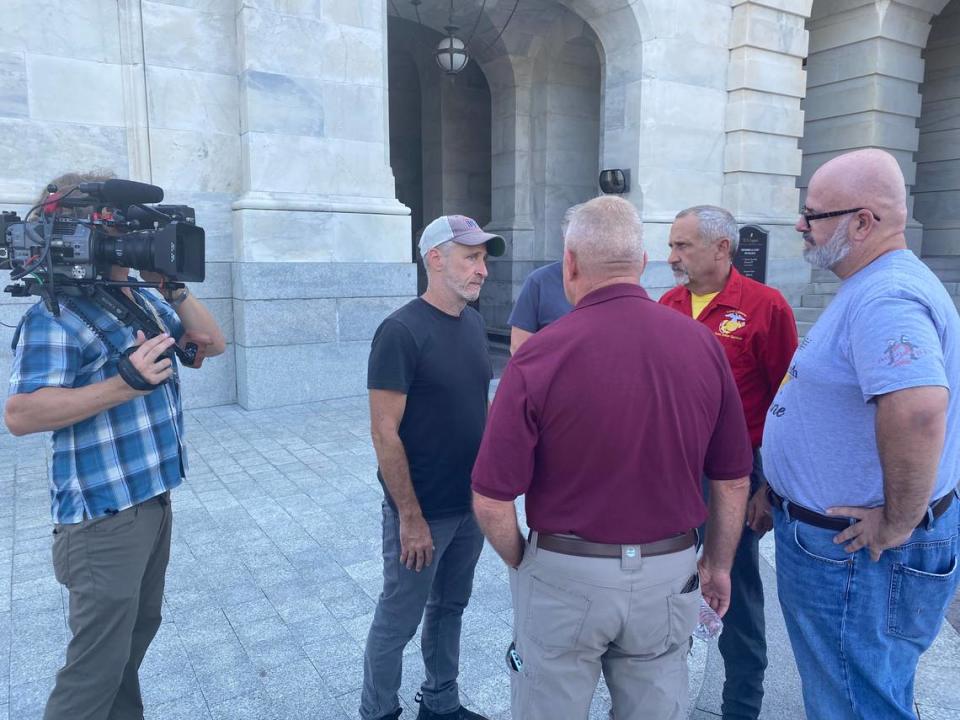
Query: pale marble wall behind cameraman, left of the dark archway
283	155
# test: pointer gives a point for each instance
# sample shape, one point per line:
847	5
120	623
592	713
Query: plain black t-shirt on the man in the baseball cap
443	366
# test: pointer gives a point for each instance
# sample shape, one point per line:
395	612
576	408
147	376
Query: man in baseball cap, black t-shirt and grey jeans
429	376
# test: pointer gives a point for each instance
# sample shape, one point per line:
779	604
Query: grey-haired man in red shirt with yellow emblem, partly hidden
756	327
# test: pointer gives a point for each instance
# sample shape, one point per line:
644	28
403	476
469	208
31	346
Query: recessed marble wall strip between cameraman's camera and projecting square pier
181	108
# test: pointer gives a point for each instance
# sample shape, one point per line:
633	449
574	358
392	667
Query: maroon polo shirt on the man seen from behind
607	418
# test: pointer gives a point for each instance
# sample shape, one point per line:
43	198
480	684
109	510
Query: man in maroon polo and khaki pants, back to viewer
606	420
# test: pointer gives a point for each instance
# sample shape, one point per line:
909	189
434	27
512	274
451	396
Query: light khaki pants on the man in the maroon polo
575	617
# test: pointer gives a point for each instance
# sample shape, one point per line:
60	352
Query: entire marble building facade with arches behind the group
315	137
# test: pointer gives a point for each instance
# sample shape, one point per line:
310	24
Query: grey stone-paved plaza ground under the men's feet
273	579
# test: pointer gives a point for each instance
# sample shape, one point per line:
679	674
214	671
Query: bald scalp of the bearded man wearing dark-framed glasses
868	178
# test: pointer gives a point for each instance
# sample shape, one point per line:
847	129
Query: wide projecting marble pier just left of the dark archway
322	245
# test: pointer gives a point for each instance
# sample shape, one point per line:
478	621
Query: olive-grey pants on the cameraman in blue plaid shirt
114	567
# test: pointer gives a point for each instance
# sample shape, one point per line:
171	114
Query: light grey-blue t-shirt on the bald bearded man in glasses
891	326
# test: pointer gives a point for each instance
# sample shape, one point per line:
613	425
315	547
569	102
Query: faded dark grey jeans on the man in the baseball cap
439	594
